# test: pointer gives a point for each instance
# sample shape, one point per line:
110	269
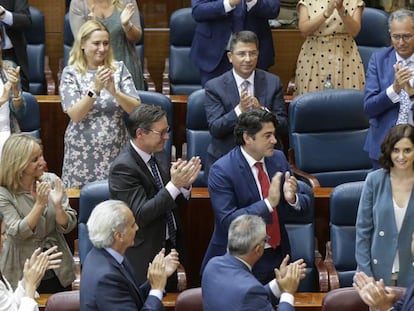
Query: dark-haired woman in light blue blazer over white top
385	220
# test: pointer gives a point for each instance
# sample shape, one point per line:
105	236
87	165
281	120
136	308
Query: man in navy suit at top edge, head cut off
217	20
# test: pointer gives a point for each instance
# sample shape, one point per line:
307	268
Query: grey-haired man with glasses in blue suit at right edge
390	70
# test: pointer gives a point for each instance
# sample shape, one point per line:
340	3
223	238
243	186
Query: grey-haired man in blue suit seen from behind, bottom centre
228	283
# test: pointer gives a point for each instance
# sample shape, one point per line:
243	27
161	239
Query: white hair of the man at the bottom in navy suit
106	219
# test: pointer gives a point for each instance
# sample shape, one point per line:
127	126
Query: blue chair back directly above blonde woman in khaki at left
30	123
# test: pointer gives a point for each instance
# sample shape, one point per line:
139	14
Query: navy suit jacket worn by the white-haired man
105	286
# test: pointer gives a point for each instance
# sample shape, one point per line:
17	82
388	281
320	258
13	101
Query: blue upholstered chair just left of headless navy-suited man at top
181	76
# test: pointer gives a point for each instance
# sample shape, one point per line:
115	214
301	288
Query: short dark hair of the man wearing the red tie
251	122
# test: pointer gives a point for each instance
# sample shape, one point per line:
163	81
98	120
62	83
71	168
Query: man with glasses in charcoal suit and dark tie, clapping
143	177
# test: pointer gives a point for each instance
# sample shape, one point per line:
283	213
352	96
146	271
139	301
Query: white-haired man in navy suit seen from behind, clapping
108	282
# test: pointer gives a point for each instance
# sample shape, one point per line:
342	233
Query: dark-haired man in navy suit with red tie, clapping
254	178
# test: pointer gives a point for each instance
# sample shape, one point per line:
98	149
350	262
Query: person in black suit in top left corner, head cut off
15	16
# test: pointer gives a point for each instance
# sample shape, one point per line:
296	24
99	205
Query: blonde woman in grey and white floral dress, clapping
96	92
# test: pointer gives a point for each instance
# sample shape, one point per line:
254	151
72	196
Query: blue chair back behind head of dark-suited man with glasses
159	99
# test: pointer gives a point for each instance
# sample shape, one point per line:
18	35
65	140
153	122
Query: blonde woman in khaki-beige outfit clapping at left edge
36	211
